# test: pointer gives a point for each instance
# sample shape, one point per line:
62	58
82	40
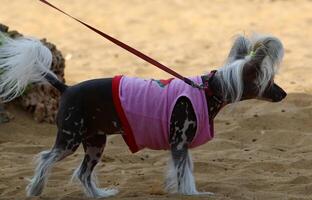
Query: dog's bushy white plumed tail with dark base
23	61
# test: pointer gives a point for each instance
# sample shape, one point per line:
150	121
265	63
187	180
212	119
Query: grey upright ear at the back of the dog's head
240	49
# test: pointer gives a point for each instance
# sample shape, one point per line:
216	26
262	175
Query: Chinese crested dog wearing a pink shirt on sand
155	114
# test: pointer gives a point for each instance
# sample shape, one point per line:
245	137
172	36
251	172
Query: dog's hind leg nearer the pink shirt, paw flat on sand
94	147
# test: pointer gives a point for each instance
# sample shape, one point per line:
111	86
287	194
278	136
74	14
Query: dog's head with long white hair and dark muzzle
250	69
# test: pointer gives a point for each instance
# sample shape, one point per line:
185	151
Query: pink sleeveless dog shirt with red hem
144	108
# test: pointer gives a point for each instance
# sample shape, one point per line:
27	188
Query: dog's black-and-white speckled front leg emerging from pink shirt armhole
183	127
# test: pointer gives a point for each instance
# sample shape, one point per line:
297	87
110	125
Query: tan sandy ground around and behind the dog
261	150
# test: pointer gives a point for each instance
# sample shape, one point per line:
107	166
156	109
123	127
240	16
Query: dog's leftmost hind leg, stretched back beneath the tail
68	139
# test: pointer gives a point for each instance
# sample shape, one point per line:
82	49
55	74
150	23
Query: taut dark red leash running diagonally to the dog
130	49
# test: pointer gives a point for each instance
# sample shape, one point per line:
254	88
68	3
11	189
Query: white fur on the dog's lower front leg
187	181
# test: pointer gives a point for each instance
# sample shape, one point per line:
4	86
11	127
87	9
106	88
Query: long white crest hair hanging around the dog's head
243	51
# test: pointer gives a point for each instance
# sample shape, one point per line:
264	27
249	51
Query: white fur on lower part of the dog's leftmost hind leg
45	162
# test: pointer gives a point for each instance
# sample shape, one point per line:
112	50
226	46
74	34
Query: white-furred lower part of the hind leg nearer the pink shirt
89	183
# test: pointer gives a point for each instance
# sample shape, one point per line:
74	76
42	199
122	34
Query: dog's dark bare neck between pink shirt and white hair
215	98
